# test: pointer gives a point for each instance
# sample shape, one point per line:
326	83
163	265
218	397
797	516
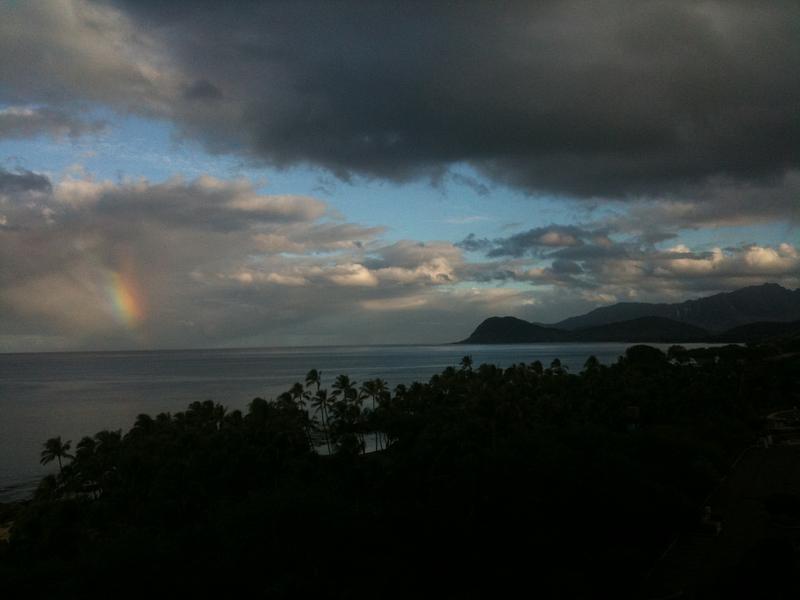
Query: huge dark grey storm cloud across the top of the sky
589	99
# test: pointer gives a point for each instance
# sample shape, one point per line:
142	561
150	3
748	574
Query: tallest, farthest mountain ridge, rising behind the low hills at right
767	302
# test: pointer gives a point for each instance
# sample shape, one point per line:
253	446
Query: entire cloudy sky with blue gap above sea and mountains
208	174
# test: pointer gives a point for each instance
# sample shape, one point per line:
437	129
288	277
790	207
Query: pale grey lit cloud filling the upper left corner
65	53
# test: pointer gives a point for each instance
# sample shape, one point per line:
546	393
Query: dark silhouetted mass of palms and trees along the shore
569	485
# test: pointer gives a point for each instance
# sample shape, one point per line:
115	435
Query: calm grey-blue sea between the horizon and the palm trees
76	394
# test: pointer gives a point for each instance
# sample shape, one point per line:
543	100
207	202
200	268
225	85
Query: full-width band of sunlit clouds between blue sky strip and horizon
214	262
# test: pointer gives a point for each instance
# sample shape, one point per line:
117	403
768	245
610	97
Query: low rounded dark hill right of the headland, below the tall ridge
643	329
